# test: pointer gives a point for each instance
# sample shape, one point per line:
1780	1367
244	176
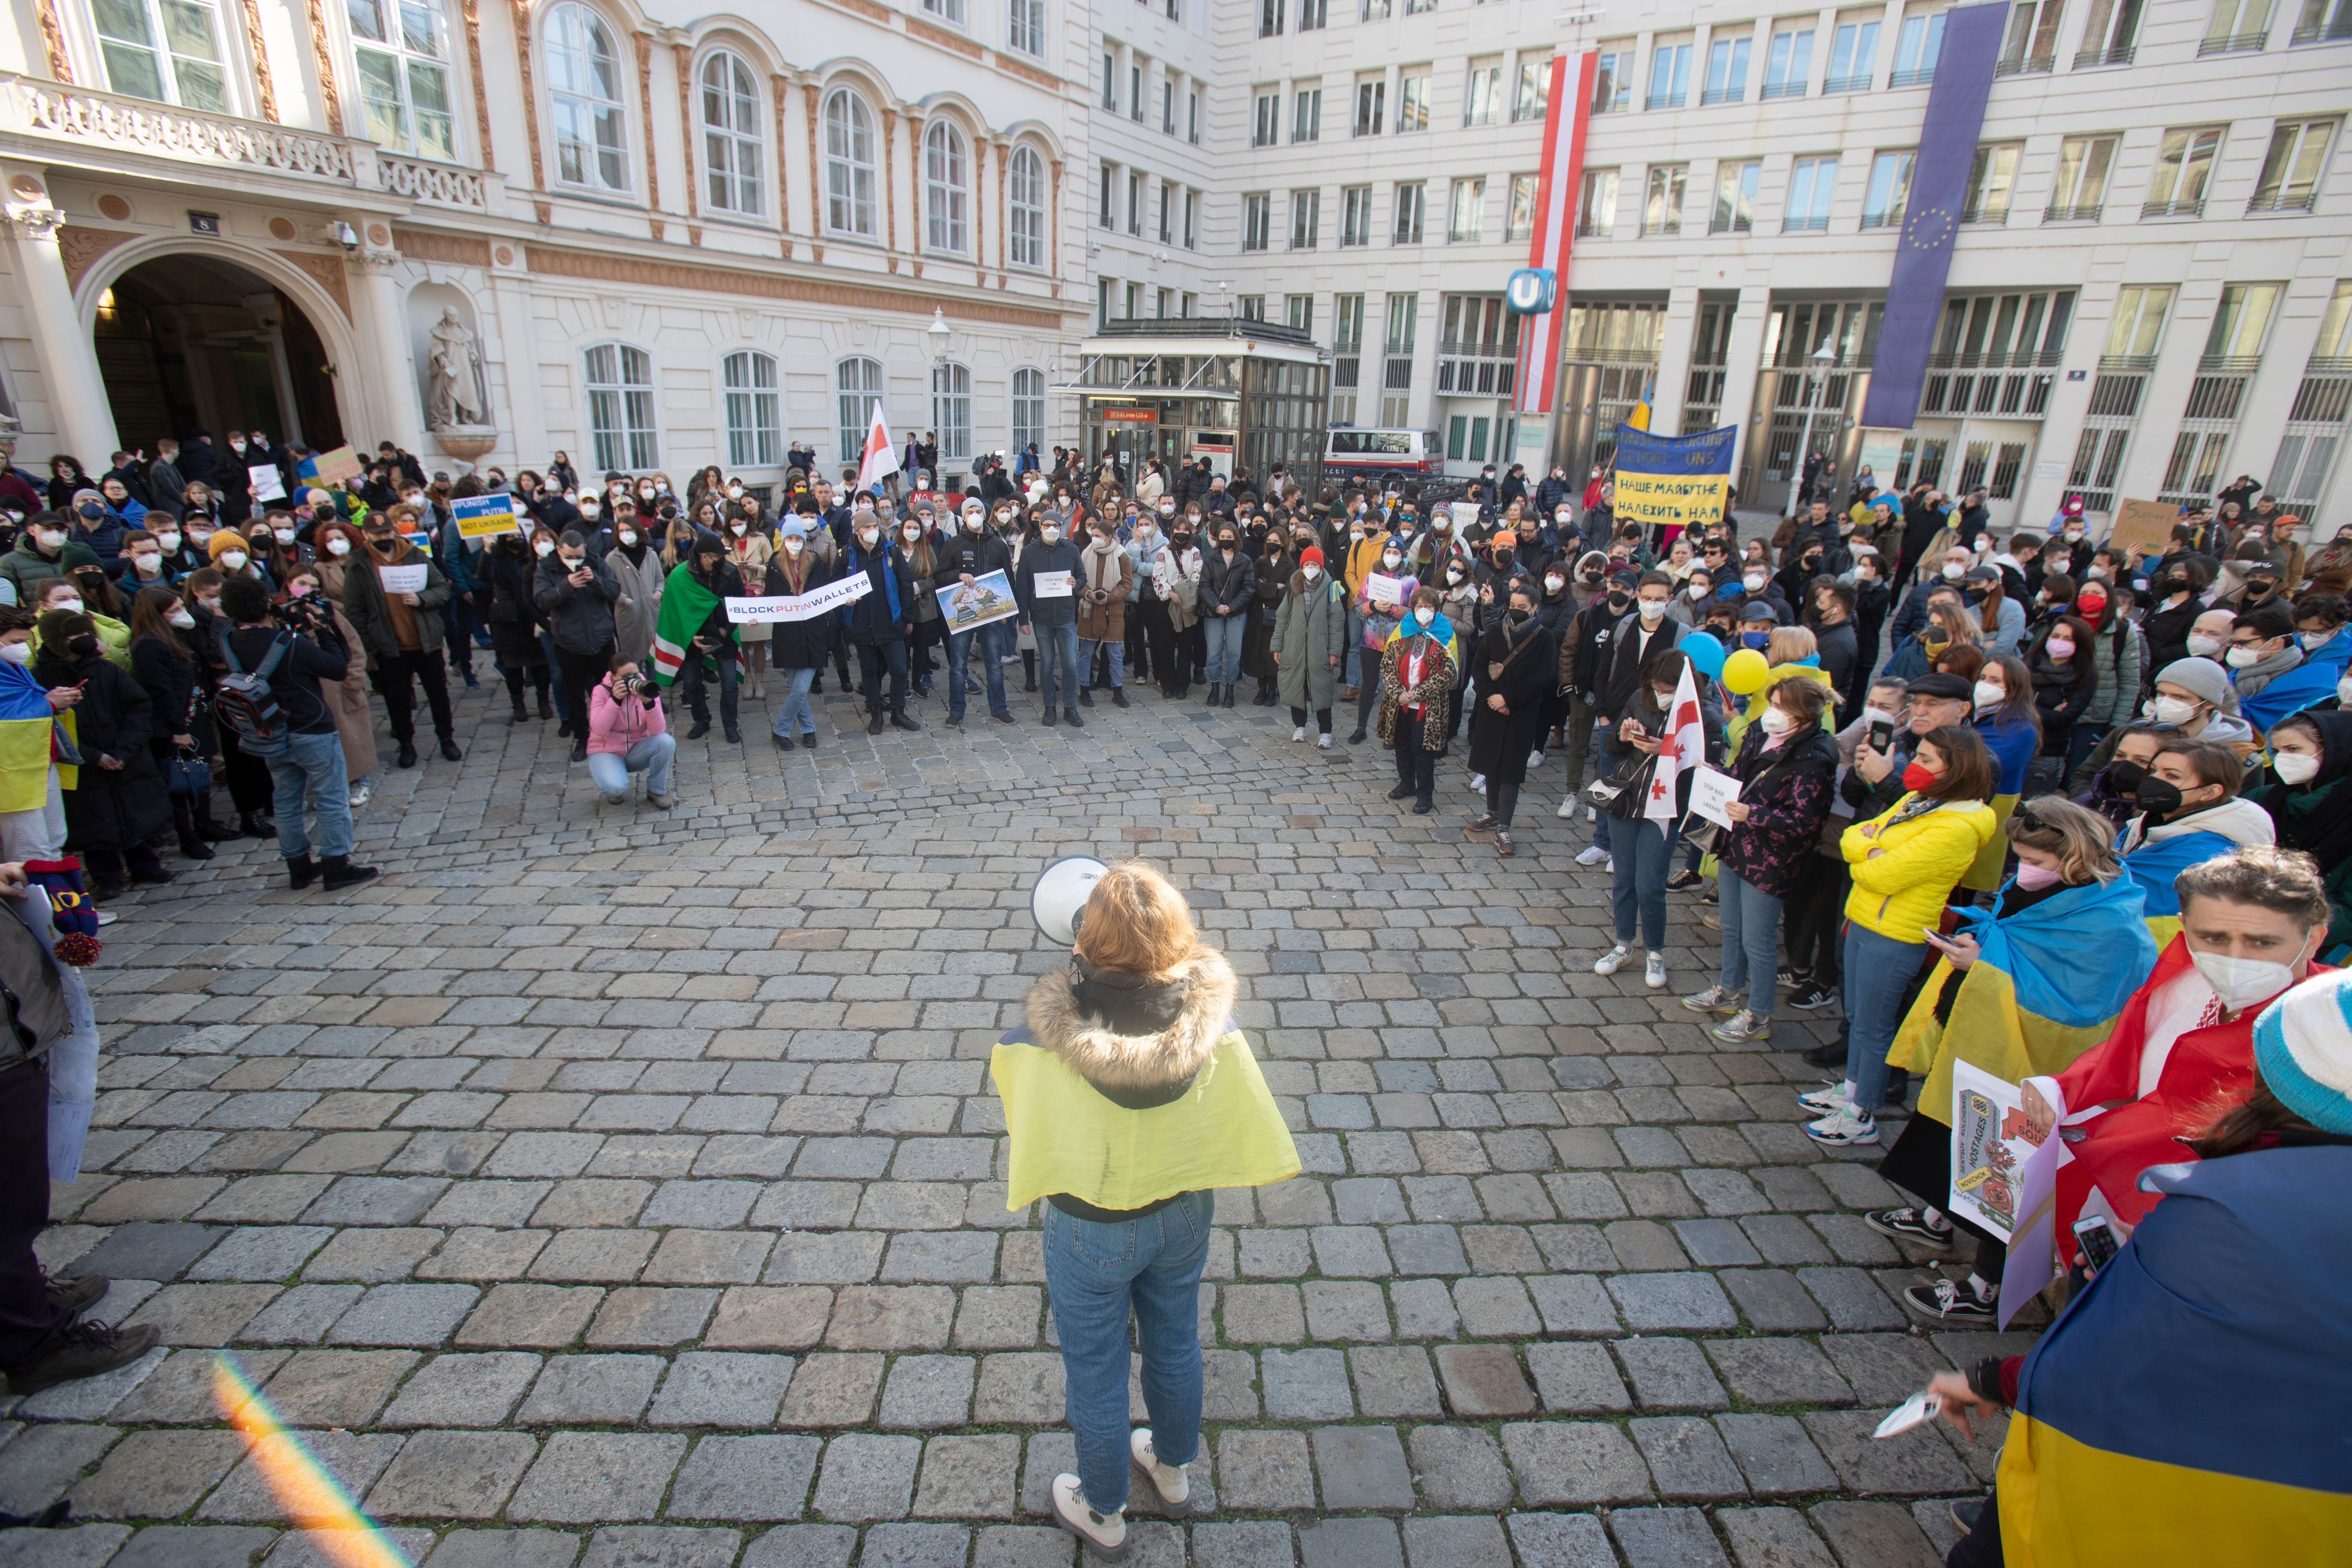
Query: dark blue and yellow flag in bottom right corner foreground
2189	1409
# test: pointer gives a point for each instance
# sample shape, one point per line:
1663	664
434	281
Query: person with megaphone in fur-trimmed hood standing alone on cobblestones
1130	1097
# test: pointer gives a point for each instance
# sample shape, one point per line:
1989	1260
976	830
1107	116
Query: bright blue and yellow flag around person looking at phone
2045	989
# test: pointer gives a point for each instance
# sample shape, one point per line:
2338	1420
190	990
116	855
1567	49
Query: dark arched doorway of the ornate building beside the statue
206	344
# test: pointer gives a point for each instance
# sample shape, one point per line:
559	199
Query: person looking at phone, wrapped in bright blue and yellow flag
2022	991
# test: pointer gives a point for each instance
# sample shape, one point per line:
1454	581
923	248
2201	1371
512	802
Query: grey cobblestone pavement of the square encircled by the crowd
622	1188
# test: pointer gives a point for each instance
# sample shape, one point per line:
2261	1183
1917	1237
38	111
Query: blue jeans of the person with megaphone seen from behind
1095	1275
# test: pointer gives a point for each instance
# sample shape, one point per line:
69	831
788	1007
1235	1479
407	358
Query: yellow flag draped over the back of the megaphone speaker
1071	1139
